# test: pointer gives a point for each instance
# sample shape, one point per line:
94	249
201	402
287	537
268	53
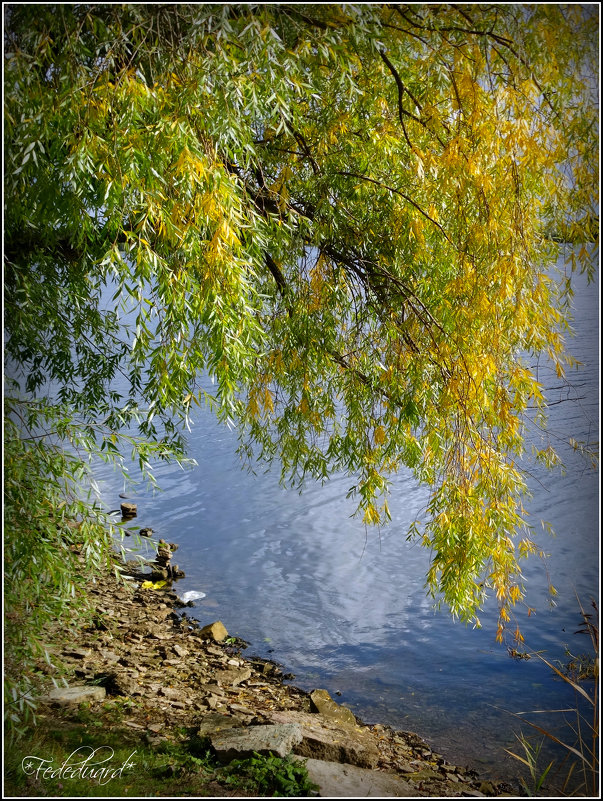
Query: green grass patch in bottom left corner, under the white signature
93	755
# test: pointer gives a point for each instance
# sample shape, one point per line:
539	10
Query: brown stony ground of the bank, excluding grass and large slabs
142	647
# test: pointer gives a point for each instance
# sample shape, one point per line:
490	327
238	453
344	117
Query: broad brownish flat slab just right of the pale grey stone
326	740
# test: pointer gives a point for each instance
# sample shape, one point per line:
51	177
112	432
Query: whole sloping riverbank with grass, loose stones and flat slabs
185	701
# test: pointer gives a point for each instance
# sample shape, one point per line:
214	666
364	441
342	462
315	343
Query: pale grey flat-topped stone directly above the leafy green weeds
241	743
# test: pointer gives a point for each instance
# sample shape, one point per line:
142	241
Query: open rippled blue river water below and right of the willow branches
345	608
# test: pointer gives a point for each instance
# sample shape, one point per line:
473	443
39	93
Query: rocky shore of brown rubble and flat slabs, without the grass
175	672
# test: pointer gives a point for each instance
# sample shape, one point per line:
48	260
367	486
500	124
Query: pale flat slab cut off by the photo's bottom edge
349	781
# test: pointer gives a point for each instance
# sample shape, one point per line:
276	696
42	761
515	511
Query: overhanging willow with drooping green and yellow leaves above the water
345	215
